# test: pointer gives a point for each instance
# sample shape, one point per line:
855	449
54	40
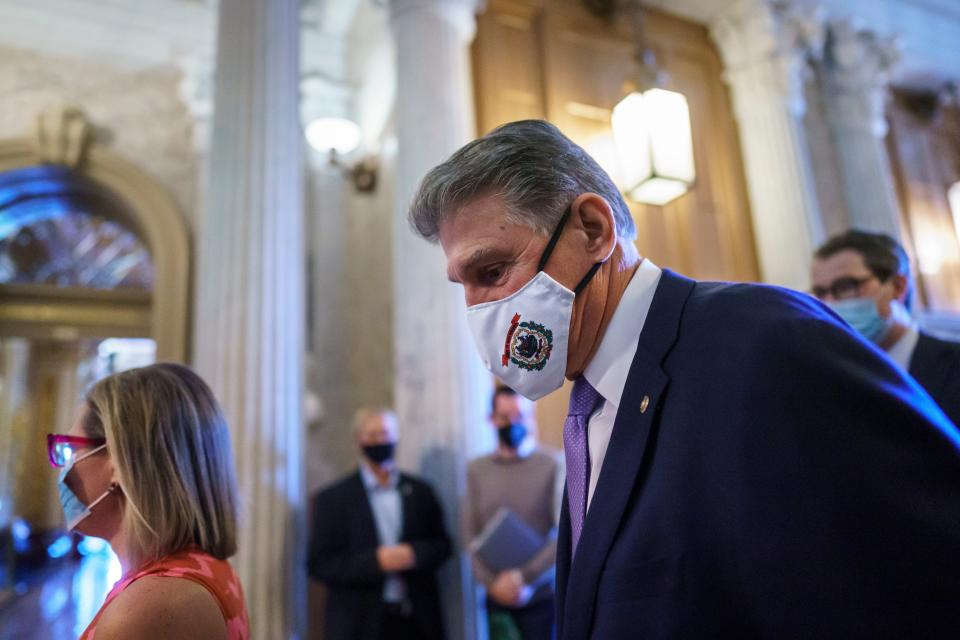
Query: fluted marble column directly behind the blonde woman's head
250	314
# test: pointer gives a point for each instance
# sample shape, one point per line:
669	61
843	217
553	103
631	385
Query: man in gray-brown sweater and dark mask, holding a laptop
528	481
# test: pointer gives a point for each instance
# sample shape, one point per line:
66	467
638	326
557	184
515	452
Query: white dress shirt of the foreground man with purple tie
607	371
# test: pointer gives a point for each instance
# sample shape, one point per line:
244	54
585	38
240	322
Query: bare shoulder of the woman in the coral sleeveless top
162	607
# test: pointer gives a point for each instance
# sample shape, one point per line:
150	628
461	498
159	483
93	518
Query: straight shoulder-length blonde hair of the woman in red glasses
170	445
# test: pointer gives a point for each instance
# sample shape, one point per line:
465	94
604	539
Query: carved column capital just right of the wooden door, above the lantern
765	46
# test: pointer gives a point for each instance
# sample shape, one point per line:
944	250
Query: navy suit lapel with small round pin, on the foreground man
646	383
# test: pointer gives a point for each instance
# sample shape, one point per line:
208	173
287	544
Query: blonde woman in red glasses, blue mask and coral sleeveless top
147	466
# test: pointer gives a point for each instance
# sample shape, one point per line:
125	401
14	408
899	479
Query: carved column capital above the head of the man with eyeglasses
857	64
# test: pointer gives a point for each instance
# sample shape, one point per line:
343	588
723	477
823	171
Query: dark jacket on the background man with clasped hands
342	555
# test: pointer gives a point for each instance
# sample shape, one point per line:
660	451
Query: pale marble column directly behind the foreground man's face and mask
441	389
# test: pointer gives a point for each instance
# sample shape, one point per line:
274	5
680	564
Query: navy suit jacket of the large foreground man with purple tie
769	475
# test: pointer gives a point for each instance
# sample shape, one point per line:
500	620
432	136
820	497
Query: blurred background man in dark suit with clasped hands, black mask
378	538
